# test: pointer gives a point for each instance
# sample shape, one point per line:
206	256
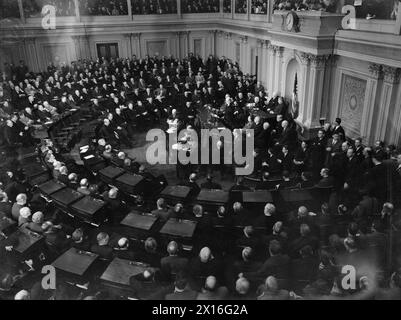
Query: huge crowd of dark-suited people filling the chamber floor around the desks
277	253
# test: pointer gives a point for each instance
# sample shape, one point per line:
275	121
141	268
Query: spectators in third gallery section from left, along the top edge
103	8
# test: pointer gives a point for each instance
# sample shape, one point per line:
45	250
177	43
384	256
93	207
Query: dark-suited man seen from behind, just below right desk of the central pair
173	264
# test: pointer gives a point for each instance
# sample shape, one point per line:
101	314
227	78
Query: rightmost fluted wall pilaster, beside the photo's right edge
388	124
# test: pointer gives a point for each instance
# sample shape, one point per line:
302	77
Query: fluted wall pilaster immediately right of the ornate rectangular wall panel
372	90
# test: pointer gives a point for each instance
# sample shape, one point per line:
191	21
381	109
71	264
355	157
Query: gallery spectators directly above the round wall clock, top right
301	5
